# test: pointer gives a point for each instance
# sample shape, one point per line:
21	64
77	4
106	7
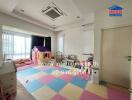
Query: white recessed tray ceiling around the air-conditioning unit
32	11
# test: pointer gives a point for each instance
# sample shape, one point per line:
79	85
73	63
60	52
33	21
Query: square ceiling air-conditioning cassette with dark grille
52	11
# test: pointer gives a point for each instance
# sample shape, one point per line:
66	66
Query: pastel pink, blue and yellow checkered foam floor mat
53	83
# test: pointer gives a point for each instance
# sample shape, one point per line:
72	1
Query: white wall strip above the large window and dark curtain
23	25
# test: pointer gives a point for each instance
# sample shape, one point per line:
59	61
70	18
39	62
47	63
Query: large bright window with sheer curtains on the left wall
16	46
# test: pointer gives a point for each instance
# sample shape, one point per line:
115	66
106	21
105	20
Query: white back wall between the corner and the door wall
78	41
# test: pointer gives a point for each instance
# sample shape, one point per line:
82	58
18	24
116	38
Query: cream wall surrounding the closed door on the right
103	20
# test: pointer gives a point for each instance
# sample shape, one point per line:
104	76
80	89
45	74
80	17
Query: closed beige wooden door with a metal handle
116	50
